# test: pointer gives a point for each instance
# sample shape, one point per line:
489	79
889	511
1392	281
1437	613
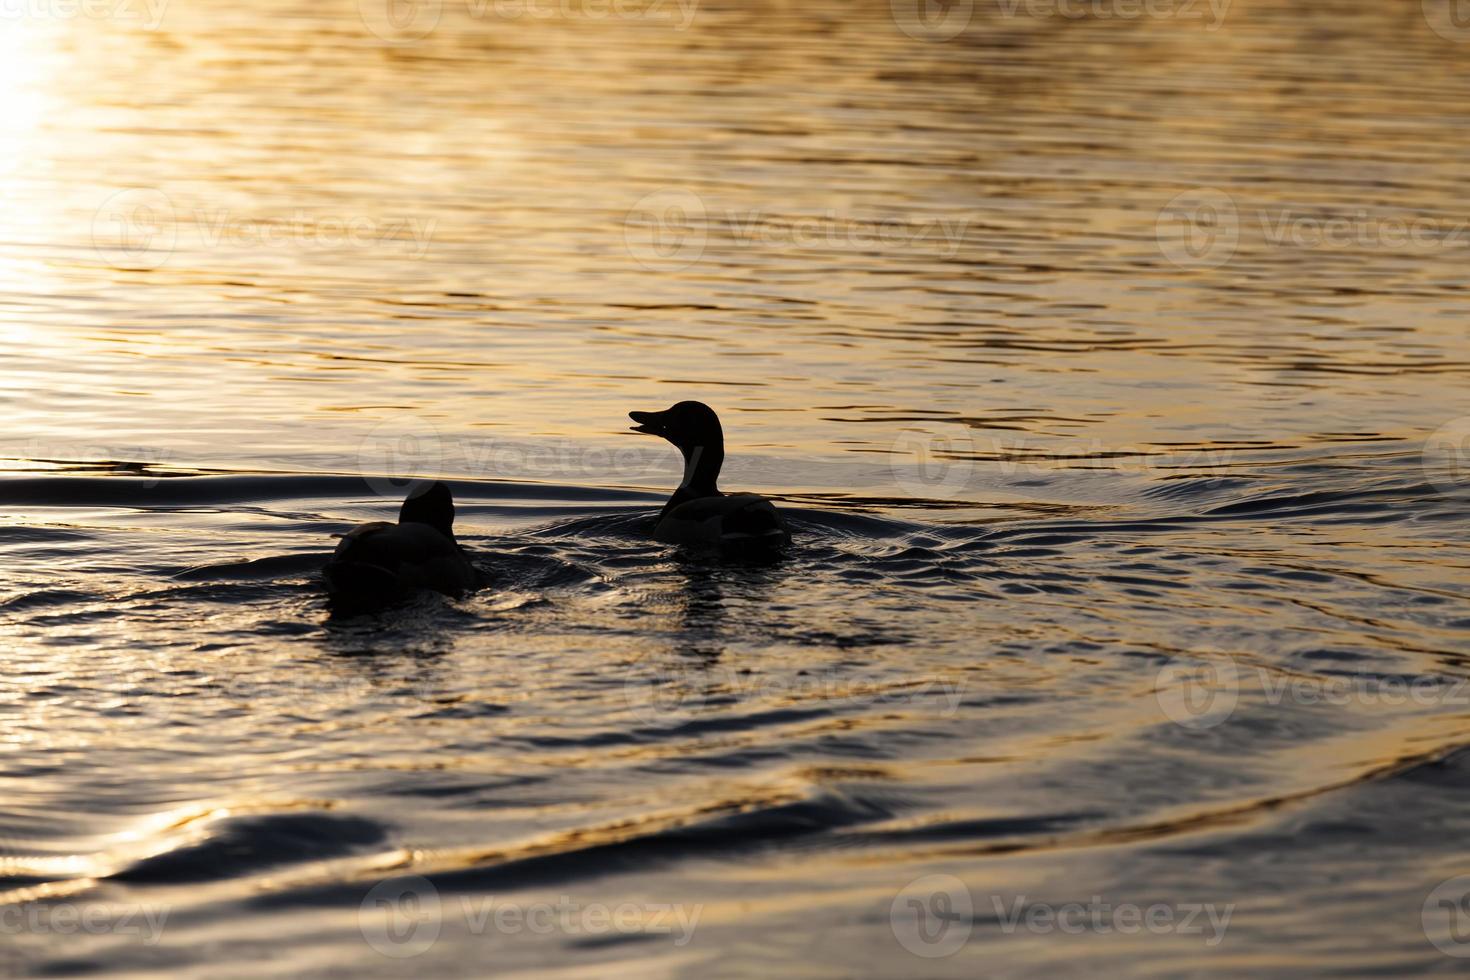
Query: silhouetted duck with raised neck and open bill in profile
699	515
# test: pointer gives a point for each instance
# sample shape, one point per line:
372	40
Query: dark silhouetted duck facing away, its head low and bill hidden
380	562
